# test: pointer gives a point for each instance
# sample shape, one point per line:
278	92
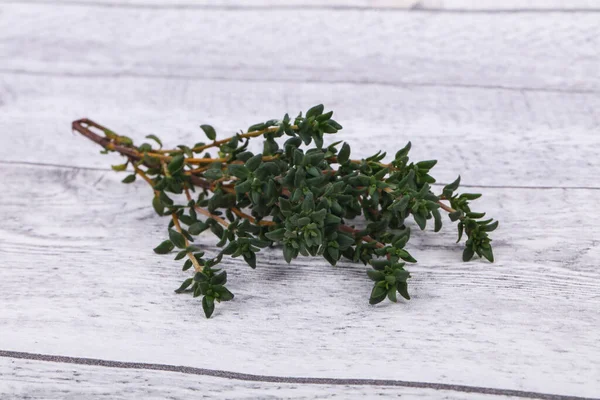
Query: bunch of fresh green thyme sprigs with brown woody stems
297	193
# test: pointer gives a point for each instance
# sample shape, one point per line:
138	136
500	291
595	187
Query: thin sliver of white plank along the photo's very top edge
413	5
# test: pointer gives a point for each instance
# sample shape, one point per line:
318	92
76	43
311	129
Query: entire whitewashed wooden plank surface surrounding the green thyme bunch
508	100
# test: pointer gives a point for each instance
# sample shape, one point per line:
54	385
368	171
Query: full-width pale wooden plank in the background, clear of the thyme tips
519	51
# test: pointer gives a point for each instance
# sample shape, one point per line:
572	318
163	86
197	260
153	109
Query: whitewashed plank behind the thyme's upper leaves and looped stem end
490	137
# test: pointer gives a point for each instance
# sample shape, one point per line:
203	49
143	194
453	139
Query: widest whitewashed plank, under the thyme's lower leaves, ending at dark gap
78	278
